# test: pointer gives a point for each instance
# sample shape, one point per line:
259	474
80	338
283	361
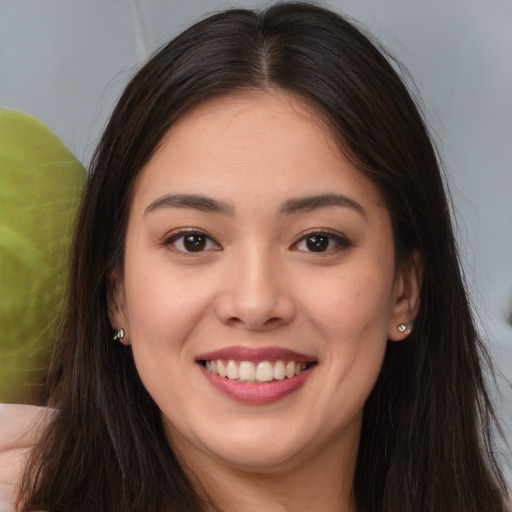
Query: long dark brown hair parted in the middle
426	442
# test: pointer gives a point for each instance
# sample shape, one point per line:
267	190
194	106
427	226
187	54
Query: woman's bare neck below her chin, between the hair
323	482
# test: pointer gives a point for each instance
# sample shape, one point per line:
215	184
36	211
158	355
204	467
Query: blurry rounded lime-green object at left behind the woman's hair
40	187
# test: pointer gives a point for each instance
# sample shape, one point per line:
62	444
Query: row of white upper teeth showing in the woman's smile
247	371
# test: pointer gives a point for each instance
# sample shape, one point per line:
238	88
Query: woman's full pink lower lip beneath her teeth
256	393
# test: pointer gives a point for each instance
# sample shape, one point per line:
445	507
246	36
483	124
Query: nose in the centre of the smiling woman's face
255	294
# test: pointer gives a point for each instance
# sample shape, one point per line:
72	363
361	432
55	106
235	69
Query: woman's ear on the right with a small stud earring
406	297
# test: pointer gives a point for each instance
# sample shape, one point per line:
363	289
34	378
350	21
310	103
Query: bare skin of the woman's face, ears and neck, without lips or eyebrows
258	284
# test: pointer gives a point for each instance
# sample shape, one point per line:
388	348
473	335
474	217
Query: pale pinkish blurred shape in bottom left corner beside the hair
20	429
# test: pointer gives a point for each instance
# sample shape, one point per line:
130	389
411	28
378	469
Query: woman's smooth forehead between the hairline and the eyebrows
269	142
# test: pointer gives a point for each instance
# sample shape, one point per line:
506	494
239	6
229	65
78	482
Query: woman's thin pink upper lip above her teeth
241	353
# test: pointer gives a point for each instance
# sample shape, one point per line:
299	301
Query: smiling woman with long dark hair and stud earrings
266	237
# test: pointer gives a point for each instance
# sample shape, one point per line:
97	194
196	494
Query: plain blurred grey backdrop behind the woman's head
66	61
